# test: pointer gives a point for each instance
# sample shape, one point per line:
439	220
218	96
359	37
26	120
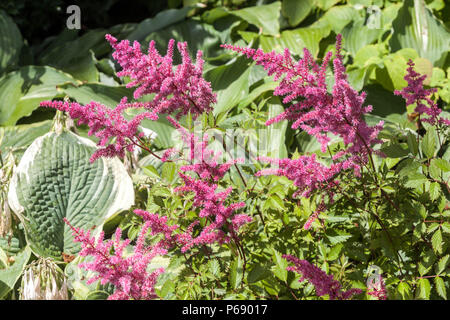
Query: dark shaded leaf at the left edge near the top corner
11	42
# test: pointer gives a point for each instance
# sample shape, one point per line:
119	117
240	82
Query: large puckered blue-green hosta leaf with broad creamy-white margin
55	180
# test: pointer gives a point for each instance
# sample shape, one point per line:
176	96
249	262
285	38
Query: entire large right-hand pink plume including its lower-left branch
319	113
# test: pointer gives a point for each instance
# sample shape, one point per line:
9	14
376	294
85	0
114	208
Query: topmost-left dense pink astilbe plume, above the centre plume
179	90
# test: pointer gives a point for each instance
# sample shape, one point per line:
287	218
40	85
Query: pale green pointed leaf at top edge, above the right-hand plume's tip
262	16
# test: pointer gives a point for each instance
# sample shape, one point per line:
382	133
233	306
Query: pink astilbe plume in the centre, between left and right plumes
204	164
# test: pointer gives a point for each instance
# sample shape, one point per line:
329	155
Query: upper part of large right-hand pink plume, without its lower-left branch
312	108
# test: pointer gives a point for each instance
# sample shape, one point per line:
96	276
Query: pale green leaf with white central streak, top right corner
416	27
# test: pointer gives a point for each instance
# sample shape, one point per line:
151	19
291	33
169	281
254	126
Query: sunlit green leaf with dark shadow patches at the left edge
21	91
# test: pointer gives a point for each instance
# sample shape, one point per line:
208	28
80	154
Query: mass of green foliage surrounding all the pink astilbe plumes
396	215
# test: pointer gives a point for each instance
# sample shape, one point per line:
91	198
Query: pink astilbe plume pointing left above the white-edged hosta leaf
116	134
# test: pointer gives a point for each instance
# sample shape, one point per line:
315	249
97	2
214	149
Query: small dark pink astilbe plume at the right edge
415	93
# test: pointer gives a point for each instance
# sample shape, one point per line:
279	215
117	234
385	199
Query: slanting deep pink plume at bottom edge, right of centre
324	284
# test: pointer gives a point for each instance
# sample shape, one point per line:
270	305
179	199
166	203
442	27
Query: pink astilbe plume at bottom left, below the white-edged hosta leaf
129	274
